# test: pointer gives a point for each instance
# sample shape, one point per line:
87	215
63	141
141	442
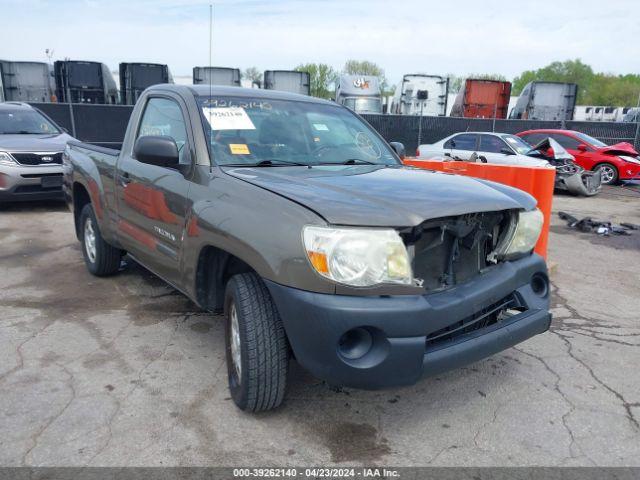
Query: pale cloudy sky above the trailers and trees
402	36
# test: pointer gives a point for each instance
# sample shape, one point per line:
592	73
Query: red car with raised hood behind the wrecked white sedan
615	162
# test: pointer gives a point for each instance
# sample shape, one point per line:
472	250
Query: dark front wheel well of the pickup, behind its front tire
215	268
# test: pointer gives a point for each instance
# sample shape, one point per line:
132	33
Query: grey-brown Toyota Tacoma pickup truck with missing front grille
294	218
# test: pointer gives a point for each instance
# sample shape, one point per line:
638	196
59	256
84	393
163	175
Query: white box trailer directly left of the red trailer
420	94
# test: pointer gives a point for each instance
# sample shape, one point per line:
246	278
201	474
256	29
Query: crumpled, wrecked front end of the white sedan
570	177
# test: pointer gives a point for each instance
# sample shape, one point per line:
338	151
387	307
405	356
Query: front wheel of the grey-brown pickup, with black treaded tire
258	342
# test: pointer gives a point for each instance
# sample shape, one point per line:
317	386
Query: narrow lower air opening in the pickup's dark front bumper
497	312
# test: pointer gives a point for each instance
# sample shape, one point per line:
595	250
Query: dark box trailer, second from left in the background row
79	81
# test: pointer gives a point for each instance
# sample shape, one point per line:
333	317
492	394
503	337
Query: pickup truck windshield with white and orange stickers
248	131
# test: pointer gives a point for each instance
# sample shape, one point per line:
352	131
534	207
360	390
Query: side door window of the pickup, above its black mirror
164	117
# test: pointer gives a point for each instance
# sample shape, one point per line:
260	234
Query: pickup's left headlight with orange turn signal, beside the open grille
357	256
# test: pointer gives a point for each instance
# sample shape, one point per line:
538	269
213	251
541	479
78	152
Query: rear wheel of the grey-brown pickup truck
100	258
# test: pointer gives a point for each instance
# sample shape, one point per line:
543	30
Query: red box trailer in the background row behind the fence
481	98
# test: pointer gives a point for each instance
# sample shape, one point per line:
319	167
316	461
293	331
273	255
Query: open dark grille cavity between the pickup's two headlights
452	250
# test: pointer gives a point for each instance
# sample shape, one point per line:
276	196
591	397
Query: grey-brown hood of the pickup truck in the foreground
381	196
